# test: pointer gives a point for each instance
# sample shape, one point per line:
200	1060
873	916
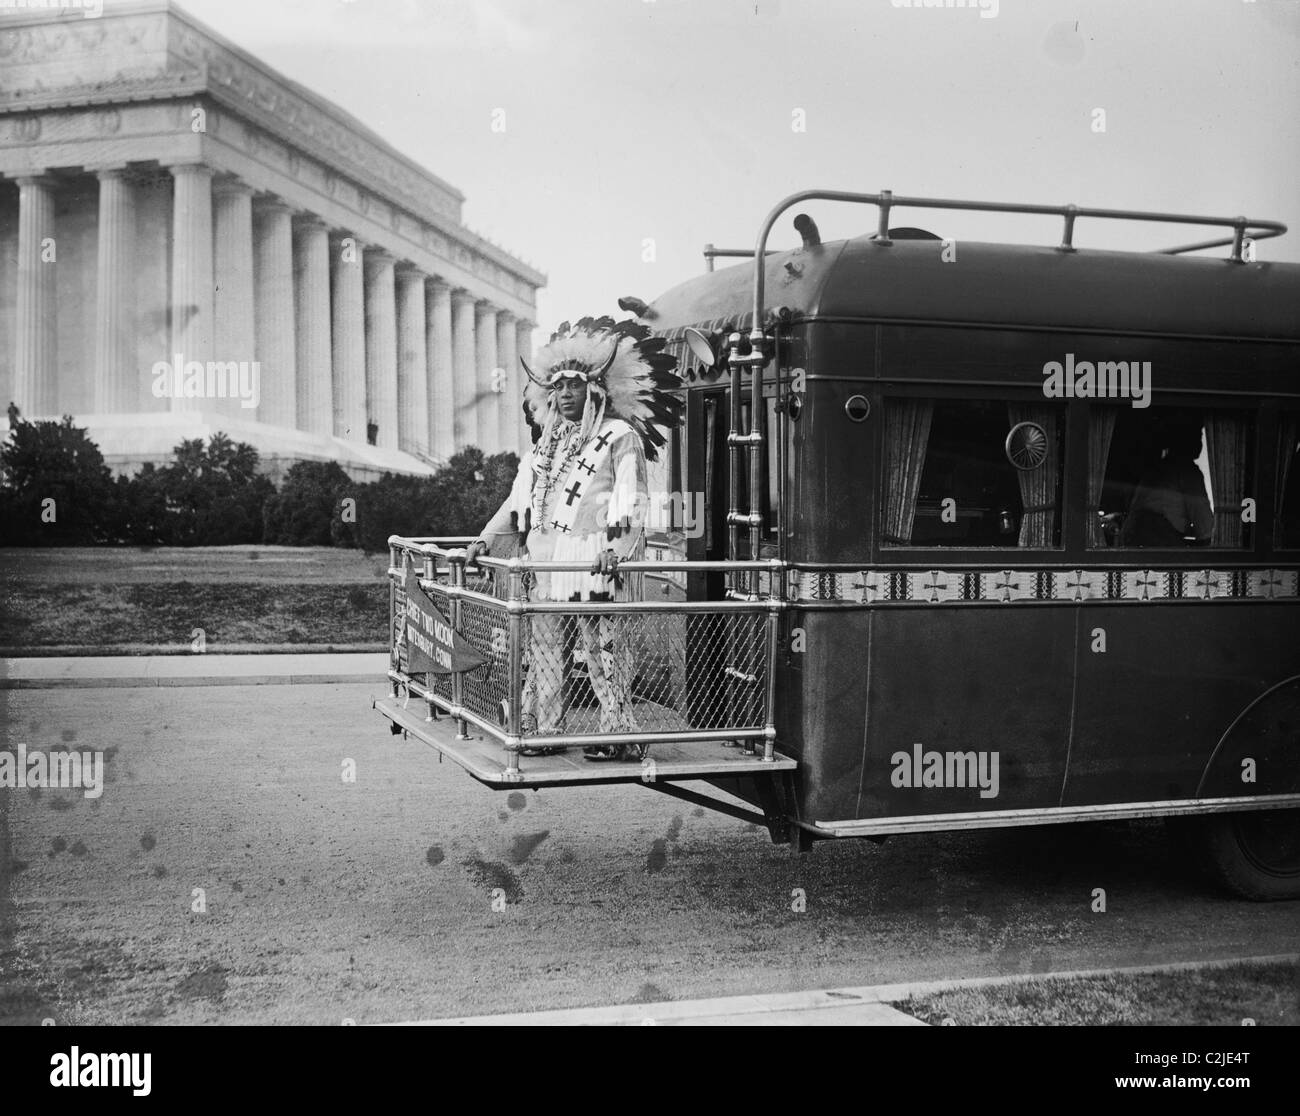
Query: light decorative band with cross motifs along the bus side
1008	586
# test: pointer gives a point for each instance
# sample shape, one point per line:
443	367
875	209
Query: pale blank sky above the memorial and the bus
673	119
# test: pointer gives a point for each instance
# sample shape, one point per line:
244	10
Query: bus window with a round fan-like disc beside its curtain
951	483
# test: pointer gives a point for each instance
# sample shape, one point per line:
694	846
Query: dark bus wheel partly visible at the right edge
1256	854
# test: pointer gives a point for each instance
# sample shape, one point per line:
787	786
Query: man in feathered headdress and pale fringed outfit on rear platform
604	400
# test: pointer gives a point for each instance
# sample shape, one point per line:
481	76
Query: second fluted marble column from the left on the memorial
118	380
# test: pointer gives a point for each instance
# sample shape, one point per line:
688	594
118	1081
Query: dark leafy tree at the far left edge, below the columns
57	491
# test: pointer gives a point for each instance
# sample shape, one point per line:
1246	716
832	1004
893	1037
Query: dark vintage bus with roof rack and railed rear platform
960	535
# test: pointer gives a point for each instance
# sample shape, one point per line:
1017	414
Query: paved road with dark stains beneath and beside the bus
374	899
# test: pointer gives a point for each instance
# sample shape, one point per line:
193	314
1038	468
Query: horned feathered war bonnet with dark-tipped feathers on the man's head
629	374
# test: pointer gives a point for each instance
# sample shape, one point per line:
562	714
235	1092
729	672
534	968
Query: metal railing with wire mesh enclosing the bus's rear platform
593	673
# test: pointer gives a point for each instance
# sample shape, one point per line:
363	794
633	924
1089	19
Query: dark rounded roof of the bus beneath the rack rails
1013	287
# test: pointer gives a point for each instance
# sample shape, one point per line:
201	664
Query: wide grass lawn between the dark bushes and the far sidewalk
155	599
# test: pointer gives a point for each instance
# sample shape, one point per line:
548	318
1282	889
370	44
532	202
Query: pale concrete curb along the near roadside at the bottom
868	1005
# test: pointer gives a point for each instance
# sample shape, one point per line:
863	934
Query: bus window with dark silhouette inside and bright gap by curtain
1169	477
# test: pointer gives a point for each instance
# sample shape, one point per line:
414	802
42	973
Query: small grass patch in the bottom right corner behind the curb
1217	997
